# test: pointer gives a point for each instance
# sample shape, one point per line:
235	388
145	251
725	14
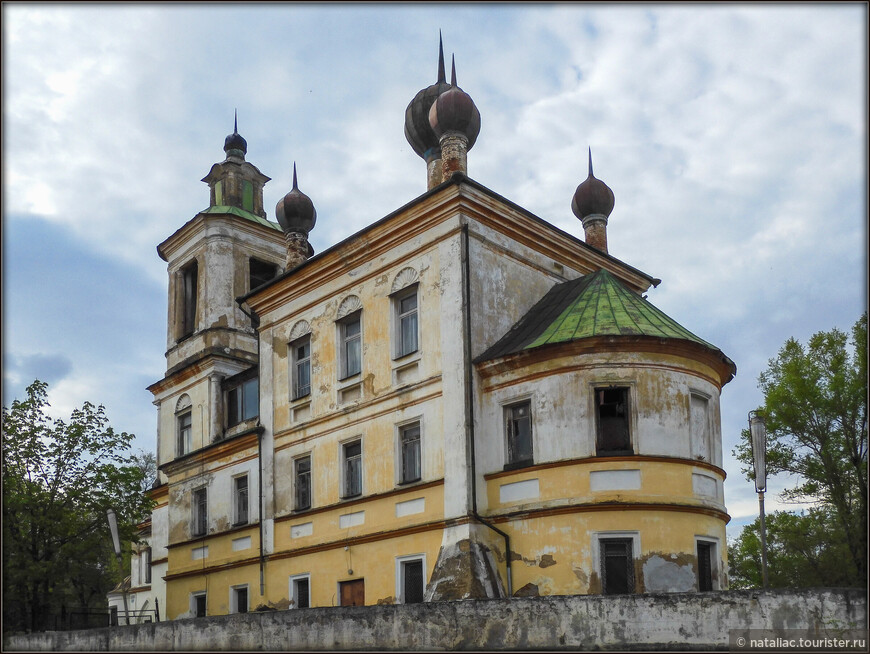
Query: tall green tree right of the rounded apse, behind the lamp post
815	405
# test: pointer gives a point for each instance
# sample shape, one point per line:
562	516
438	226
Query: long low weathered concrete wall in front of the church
674	621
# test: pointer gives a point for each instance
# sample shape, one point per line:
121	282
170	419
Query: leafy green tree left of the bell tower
59	478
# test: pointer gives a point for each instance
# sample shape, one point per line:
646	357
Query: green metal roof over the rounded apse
596	304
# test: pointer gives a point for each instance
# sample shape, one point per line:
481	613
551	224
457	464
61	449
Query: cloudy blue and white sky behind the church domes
734	138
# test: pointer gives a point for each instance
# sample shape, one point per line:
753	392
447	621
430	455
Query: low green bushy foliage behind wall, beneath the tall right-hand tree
803	550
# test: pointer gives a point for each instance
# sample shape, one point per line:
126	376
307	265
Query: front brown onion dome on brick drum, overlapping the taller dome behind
455	120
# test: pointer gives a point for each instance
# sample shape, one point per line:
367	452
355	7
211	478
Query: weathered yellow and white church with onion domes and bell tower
459	401
